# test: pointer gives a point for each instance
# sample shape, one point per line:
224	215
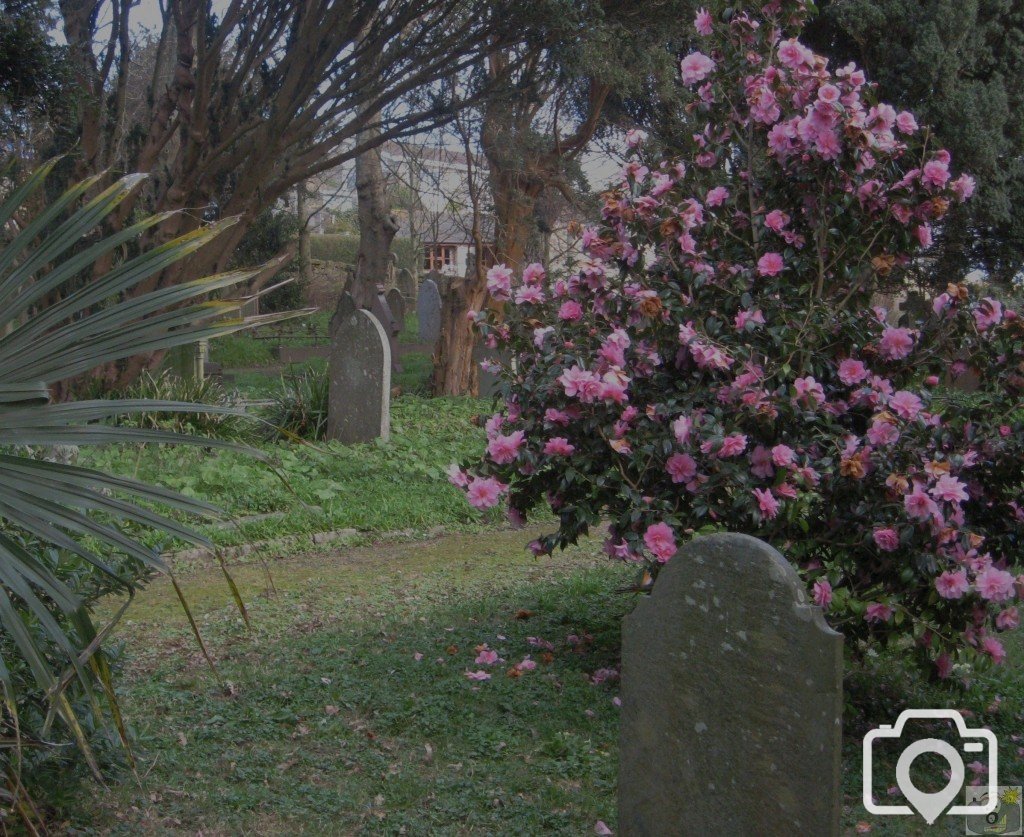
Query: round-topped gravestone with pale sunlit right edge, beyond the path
360	368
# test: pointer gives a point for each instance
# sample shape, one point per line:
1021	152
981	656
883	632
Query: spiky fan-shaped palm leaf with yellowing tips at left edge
51	507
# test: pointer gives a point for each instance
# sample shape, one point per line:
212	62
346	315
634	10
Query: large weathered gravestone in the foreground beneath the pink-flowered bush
732	691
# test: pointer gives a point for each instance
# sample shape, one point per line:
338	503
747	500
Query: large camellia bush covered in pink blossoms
716	361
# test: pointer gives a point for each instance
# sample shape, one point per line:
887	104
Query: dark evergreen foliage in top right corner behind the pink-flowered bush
958	65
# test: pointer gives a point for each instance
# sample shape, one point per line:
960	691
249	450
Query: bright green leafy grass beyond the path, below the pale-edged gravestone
400	485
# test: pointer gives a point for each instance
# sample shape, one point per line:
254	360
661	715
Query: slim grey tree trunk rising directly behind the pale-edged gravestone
377	226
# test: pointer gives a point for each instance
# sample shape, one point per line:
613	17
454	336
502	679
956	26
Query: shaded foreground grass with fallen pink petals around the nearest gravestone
330	725
